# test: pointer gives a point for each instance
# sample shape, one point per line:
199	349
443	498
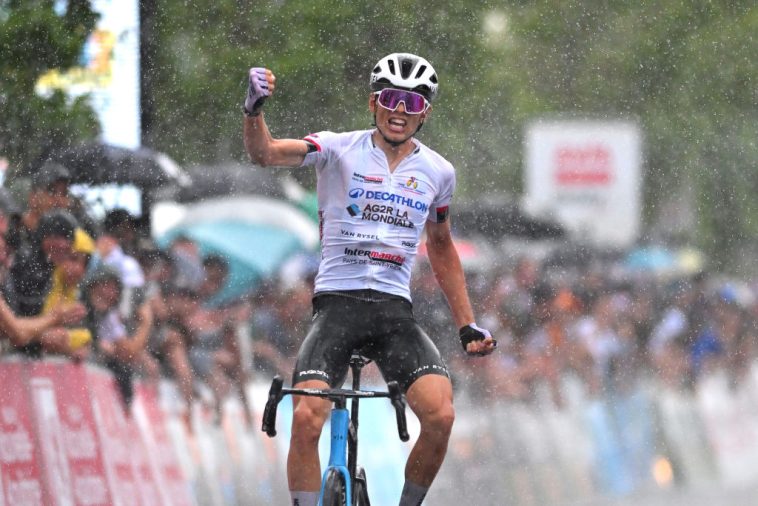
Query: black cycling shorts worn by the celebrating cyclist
377	325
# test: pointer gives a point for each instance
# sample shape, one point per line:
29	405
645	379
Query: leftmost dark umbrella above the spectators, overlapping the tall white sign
96	164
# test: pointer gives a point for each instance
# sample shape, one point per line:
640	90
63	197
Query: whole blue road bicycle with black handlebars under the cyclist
343	483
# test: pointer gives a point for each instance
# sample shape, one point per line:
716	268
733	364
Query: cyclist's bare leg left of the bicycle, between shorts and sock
303	465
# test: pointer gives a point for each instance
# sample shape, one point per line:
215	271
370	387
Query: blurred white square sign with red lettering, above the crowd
586	174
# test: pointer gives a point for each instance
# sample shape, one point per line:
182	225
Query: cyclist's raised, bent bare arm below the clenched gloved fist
266	151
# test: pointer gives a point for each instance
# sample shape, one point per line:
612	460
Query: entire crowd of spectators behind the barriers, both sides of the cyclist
101	291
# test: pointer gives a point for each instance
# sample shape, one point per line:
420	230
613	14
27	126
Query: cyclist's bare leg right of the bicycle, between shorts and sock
431	399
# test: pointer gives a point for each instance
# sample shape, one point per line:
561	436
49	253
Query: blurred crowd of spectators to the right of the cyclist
610	328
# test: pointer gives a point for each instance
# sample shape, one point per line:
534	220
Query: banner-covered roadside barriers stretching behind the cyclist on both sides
65	439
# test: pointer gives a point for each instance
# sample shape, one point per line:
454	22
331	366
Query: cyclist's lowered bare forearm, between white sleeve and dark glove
447	268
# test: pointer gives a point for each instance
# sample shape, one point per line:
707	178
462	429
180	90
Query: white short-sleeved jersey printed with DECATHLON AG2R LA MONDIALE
372	220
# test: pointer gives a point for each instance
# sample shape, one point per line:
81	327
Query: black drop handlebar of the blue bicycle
277	392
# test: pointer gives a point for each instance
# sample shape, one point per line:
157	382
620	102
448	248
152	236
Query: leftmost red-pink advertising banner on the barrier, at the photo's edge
20	469
